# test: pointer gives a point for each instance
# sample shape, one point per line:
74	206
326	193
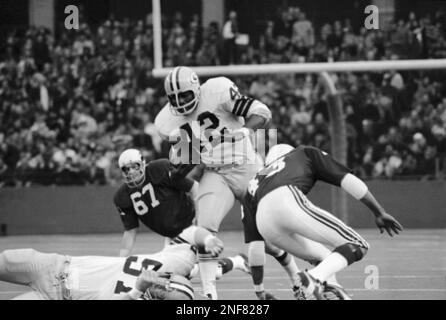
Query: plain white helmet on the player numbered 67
133	167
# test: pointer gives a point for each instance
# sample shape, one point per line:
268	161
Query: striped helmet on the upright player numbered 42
182	88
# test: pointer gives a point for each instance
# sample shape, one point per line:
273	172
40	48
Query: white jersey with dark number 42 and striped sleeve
220	107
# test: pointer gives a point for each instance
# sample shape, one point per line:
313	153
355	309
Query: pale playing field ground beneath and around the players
411	265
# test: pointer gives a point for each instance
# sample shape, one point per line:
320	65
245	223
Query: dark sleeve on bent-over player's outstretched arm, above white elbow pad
325	167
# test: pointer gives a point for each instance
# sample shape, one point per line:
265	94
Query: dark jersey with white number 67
160	203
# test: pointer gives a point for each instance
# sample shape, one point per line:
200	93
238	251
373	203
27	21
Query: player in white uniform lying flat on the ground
160	276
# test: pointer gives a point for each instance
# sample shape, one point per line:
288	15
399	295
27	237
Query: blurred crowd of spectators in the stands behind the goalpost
70	103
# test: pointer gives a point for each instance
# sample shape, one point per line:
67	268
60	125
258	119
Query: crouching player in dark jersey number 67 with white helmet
157	195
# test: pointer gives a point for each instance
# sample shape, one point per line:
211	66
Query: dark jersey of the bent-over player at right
301	168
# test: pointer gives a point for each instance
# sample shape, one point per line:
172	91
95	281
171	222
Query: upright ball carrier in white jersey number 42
221	120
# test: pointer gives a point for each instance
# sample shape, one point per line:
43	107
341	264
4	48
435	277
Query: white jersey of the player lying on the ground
104	278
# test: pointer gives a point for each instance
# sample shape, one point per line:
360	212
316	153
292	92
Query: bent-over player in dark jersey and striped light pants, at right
277	210
